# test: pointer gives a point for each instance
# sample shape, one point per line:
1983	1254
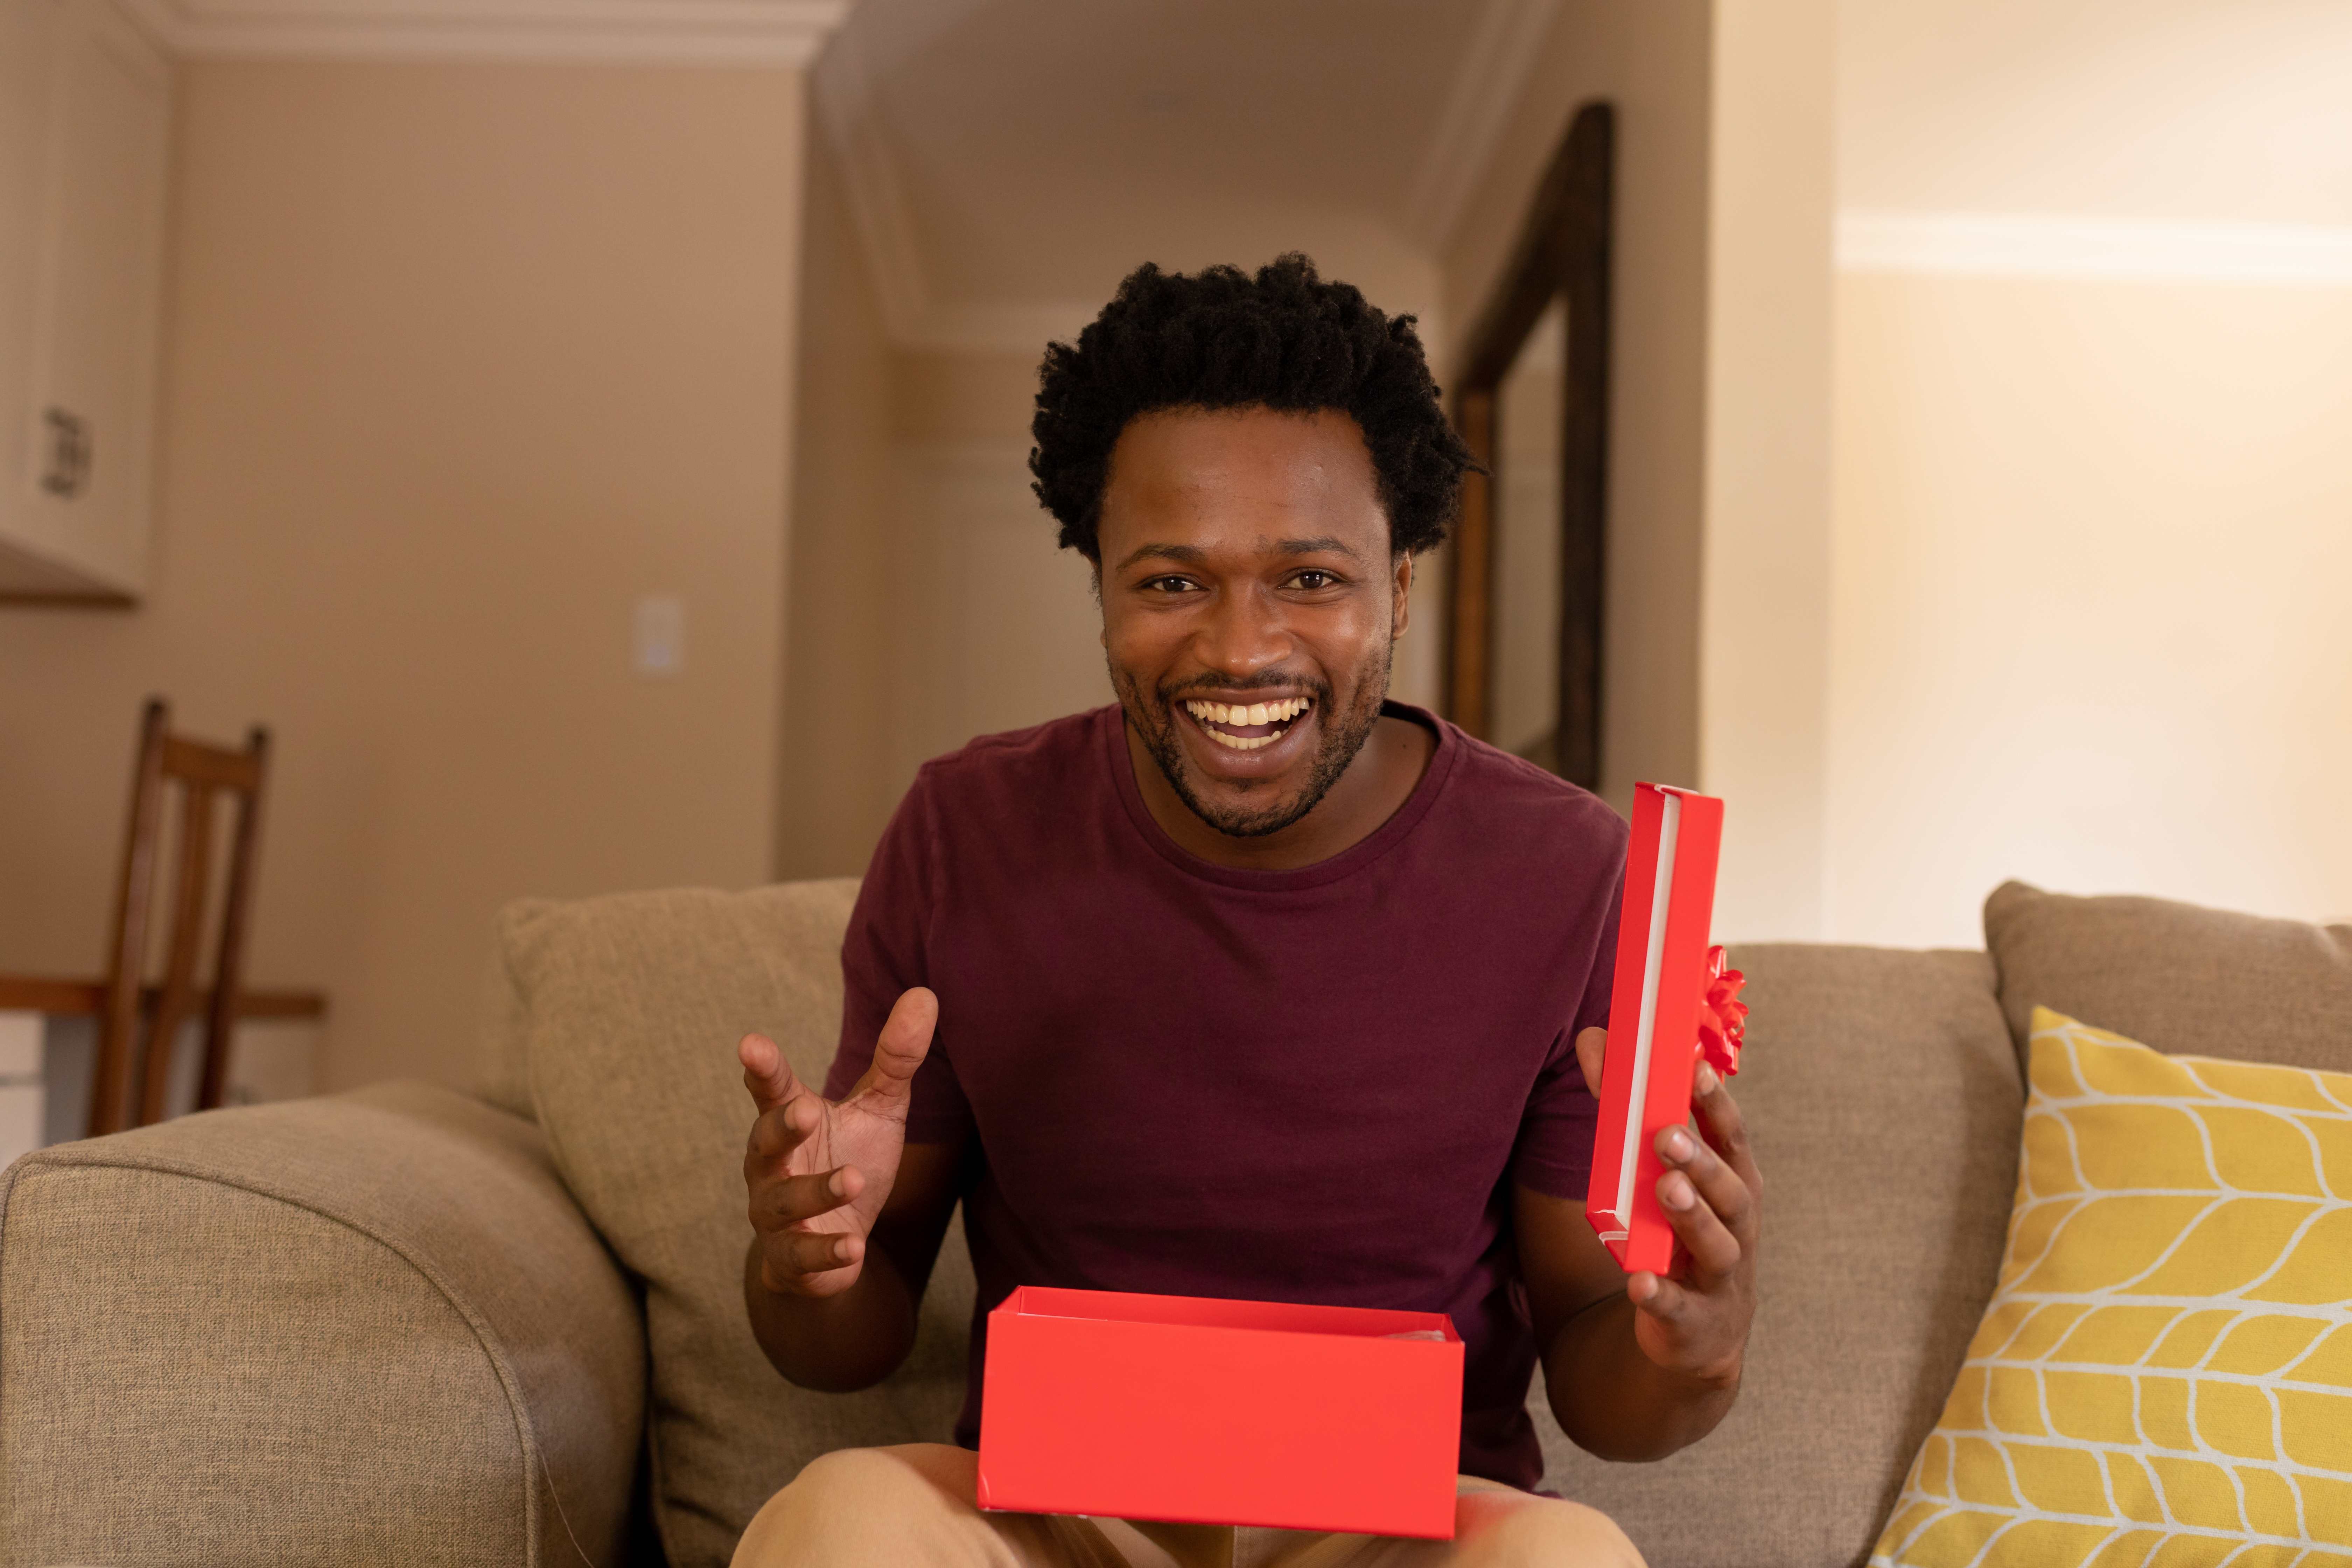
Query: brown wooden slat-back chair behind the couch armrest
135	1085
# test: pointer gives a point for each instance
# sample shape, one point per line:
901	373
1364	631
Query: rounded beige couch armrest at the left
354	1329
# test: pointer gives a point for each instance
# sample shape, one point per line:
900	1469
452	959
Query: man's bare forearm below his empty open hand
860	1336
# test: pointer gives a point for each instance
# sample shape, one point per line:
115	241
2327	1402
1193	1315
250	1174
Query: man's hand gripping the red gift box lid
1695	1320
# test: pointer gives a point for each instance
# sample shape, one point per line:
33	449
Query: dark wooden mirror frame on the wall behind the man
1563	255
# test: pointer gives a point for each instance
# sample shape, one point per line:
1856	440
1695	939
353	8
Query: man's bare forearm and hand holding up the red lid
1638	1367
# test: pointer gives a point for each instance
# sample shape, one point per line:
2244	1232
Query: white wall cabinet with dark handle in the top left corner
86	140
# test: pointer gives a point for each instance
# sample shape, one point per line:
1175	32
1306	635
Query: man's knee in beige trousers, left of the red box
860	1506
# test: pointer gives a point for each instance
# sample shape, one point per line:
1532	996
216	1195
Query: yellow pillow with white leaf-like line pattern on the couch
2165	1374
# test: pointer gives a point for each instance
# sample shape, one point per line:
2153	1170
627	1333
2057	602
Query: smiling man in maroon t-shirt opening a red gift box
1250	986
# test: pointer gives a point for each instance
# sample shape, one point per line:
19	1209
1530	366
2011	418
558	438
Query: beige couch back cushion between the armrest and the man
629	1012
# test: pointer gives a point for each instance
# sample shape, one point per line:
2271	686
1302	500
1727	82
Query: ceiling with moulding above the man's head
1010	161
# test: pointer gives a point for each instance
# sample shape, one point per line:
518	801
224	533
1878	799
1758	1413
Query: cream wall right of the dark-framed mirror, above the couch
1883	544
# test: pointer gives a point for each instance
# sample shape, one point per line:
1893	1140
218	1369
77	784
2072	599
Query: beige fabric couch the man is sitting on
422	1327
